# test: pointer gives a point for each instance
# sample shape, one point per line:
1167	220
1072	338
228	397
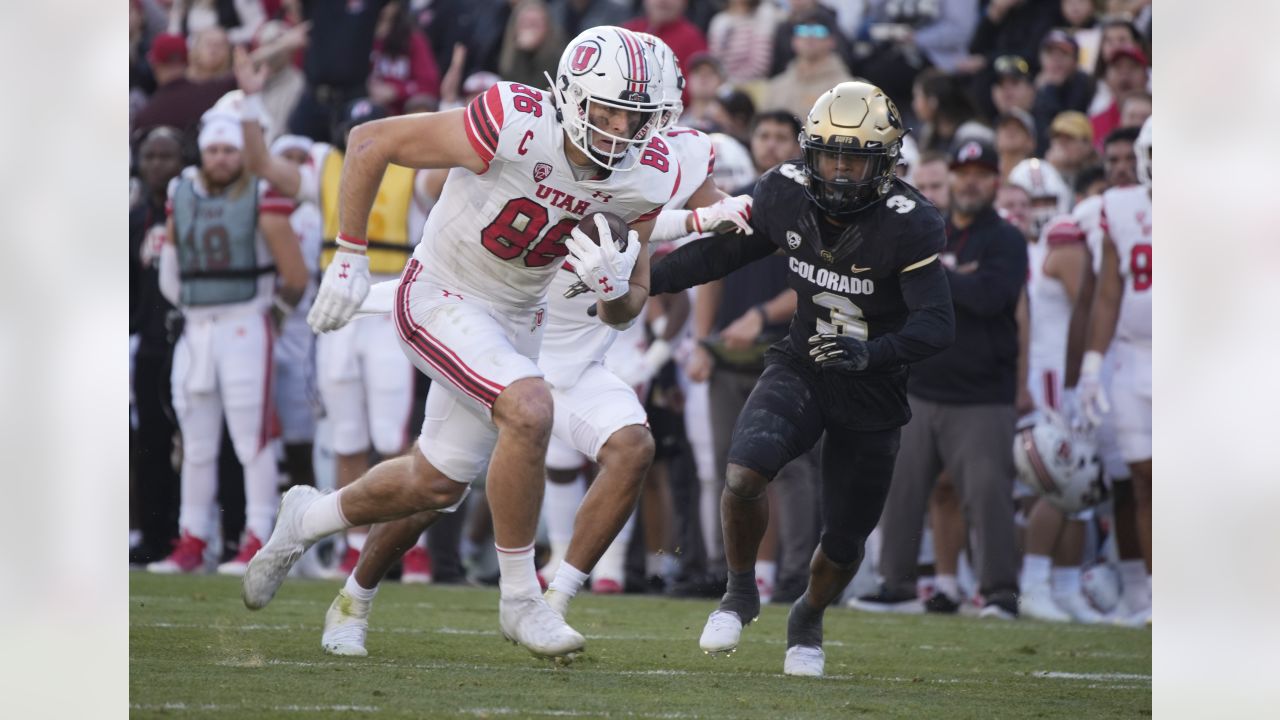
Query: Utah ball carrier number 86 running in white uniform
470	308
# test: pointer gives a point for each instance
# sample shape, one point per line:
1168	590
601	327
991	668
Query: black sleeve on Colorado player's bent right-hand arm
930	326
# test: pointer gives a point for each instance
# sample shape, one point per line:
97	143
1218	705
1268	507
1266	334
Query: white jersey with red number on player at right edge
1127	220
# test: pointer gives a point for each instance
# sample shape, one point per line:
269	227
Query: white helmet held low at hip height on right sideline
1058	463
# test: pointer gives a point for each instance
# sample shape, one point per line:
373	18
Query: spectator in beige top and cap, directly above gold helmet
815	70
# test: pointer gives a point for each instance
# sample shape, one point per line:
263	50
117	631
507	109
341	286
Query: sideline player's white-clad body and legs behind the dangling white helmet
1057	263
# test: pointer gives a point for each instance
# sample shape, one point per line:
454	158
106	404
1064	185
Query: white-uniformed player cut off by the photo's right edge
1122	313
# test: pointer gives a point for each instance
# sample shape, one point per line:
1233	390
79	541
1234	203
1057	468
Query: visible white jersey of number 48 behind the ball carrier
574	340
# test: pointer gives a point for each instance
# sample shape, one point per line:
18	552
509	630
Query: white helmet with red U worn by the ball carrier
609	67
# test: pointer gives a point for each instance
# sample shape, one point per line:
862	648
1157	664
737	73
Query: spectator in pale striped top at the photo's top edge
742	39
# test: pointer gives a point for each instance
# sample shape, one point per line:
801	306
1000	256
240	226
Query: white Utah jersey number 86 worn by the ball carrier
501	235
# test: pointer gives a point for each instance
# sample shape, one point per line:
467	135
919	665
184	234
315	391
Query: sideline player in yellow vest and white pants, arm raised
367	384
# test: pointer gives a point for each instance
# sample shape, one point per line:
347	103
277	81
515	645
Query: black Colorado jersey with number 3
848	279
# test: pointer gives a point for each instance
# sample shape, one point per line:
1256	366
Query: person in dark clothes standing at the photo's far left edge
153	500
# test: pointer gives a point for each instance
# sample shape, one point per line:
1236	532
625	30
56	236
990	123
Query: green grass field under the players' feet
195	651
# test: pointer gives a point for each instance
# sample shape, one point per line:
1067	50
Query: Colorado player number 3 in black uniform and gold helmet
863	252
